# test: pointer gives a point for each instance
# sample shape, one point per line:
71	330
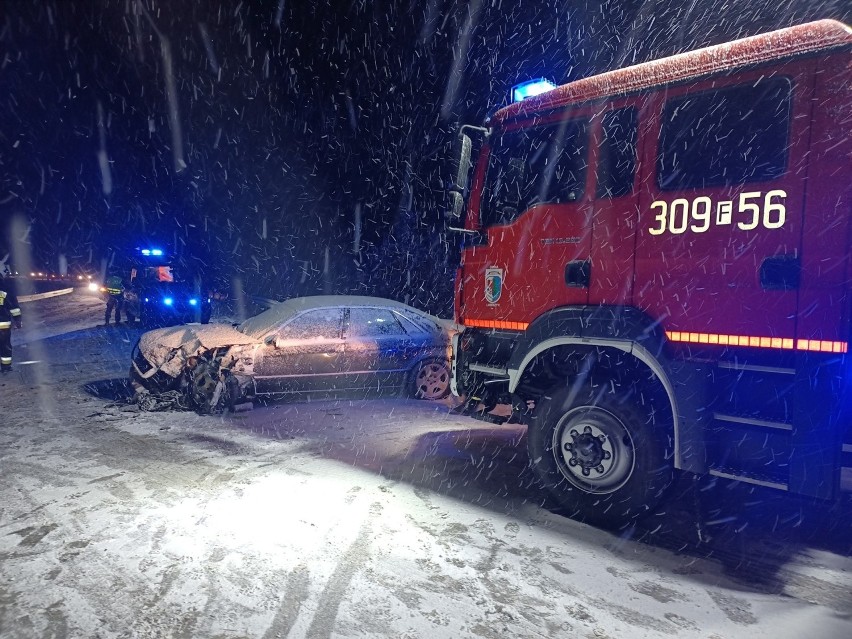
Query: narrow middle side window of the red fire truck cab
617	154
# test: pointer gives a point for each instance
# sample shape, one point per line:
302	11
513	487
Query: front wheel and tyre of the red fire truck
601	453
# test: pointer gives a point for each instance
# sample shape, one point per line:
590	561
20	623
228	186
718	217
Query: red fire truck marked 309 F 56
656	272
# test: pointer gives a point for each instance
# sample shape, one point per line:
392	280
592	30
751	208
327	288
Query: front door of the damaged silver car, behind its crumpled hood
303	355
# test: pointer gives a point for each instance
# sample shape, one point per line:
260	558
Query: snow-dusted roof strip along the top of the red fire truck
803	39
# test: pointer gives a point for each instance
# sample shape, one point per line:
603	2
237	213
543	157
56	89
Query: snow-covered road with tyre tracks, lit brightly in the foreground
345	518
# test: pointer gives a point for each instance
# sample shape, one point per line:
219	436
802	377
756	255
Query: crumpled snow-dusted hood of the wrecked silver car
168	348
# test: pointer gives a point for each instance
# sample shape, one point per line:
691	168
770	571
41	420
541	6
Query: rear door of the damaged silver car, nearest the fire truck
379	350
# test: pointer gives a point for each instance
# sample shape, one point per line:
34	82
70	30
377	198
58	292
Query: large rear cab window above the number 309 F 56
729	136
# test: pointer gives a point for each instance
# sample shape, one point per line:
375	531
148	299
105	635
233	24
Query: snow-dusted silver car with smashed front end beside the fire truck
322	344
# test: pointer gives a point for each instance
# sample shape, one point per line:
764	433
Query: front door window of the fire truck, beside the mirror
535	166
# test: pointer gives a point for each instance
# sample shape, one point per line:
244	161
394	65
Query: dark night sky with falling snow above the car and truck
292	116
